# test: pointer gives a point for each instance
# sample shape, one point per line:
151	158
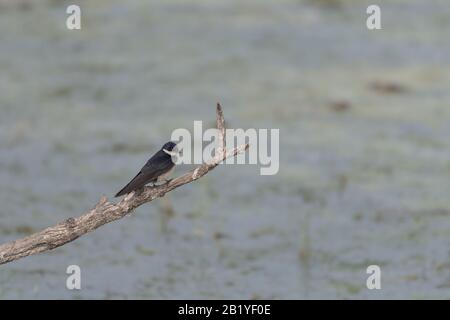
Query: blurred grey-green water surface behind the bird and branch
364	137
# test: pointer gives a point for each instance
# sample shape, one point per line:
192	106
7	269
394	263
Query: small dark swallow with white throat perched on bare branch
157	168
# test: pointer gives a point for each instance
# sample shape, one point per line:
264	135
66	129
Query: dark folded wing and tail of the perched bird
159	164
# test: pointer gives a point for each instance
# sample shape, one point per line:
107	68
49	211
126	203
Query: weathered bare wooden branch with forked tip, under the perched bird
105	211
